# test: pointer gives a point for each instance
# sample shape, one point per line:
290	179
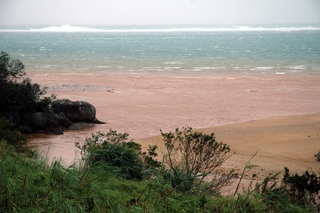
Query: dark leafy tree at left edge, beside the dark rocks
19	97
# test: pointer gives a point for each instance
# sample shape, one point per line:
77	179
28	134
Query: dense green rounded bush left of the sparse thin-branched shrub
112	151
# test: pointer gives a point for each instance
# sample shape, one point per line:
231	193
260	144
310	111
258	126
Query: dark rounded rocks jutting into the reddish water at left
64	114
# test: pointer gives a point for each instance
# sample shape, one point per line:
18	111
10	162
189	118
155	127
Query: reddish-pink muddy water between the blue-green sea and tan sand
142	104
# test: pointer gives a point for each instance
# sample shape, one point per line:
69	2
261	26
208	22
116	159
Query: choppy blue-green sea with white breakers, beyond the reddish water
165	49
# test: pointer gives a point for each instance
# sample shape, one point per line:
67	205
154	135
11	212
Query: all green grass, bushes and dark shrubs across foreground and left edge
116	175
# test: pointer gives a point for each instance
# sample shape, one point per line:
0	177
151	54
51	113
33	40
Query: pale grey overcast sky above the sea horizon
158	12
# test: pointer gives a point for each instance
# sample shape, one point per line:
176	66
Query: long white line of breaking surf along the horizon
69	28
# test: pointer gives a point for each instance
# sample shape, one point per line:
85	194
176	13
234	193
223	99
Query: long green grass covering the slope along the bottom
29	184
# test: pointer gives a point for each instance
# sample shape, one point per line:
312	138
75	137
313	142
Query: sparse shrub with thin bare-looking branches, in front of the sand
192	159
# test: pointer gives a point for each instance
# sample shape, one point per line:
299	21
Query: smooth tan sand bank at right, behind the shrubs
278	142
